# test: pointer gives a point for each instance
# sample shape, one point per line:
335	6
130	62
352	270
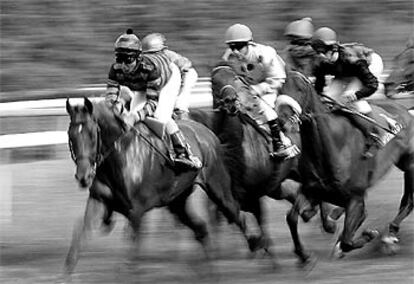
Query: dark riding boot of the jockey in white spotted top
282	146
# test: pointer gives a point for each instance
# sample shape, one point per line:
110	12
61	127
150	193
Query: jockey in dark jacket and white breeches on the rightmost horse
353	82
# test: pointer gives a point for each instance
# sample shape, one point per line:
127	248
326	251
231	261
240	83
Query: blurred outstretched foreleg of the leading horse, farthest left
94	214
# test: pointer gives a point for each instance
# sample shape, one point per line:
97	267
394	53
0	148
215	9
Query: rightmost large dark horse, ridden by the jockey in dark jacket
332	167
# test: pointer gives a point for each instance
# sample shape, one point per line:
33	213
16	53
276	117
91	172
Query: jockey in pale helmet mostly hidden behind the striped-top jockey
156	42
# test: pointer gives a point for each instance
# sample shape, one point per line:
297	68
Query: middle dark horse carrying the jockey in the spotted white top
246	151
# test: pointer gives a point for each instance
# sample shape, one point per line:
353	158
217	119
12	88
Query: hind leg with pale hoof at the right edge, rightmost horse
406	207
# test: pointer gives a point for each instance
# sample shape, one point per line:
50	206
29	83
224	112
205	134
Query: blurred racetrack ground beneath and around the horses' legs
44	201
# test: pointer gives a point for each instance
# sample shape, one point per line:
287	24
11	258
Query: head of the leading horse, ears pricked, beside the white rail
87	122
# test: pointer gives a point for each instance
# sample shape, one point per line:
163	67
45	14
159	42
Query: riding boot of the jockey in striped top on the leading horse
183	158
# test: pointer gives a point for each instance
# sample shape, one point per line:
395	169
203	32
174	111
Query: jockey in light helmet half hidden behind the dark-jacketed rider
299	53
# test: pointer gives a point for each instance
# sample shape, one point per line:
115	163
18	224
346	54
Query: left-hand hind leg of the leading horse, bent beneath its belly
190	219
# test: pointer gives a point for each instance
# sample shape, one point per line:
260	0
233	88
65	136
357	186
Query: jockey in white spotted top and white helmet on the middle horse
242	49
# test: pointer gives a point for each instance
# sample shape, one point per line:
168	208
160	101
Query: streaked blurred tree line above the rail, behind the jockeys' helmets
64	43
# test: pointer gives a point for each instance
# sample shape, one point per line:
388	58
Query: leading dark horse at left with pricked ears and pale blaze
128	171
